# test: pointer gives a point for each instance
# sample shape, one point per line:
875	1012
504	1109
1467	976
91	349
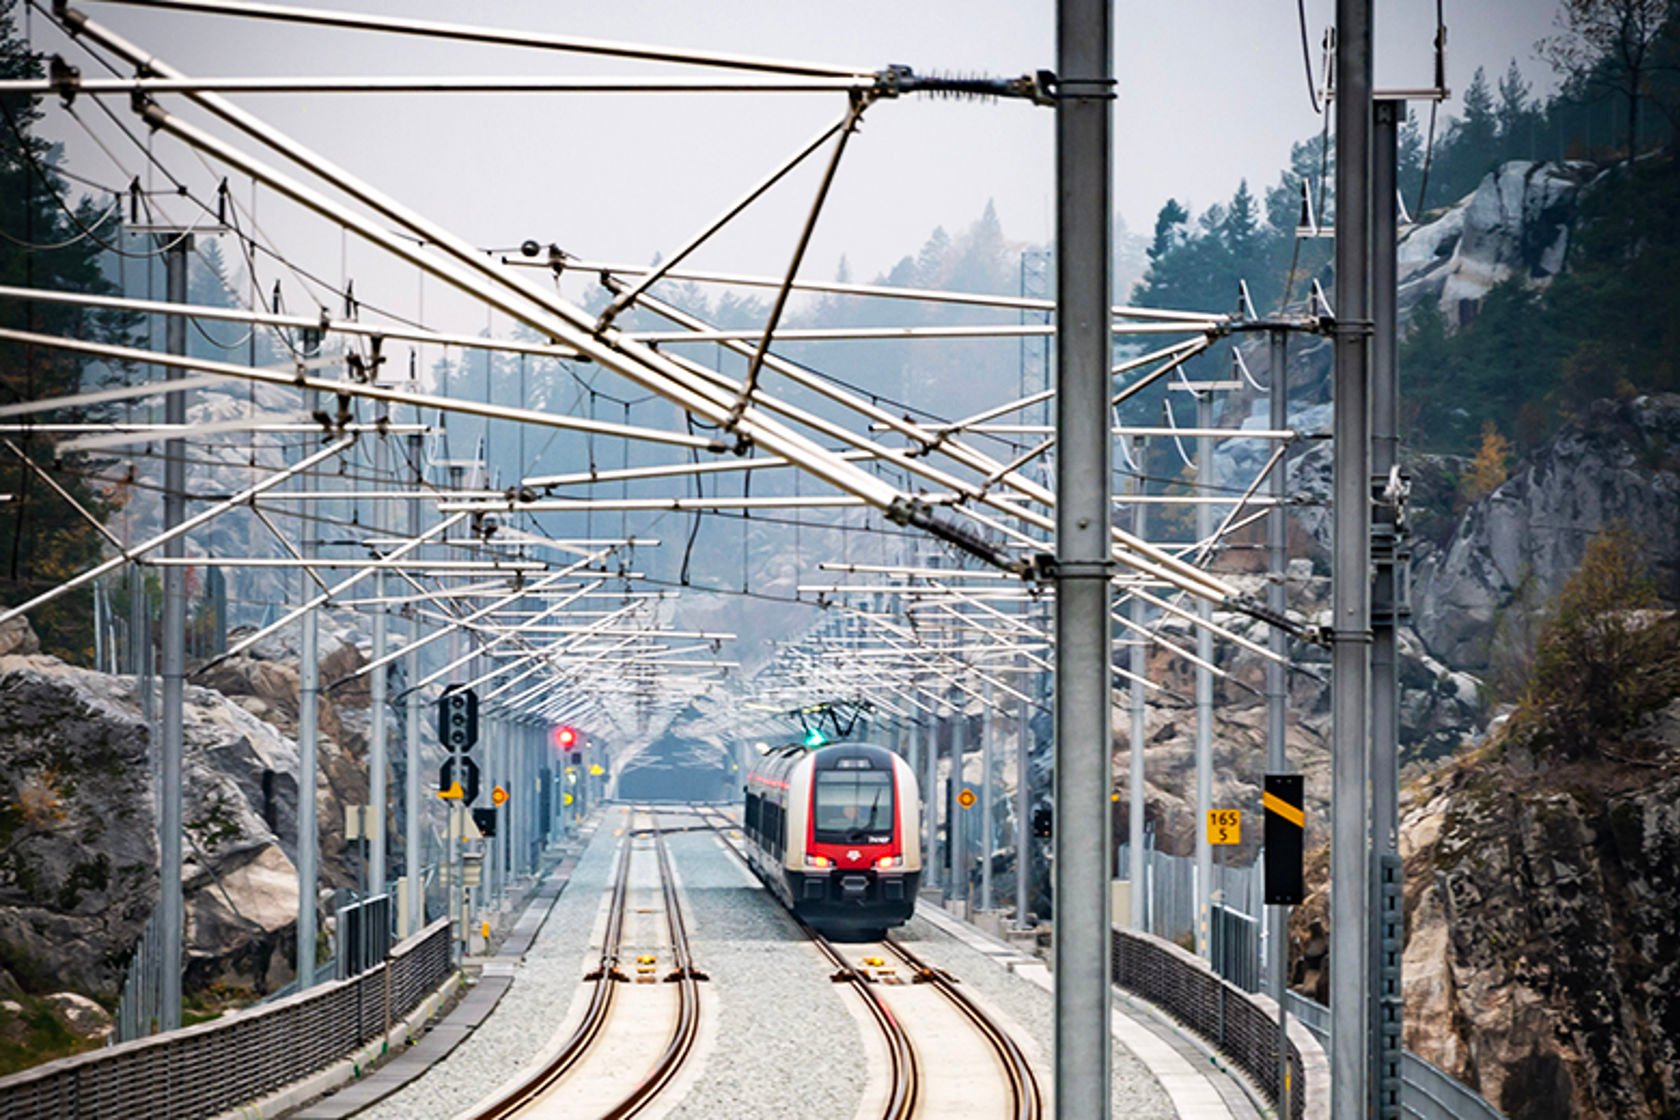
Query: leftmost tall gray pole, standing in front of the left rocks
171	901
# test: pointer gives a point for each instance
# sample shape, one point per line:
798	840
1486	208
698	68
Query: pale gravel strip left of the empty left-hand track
530	1013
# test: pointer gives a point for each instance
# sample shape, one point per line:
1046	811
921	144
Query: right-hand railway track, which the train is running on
866	970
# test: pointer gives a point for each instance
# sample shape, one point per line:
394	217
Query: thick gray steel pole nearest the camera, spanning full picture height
1083	671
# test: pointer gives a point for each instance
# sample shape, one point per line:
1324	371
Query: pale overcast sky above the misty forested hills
1209	92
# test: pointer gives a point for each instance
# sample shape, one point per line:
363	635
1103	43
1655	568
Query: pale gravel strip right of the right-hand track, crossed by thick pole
1137	1094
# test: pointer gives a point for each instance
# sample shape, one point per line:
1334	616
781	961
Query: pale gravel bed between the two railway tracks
787	1049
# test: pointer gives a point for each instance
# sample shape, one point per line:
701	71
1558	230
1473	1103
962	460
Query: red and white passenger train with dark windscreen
836	834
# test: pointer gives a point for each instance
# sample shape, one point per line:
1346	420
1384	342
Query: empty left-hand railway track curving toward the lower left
609	976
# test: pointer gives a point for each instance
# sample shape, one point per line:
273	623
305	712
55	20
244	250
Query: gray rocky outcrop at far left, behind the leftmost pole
78	834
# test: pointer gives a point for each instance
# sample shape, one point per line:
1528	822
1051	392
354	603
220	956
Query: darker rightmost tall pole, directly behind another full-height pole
1387	924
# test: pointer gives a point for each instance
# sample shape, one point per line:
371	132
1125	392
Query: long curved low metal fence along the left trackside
216	1067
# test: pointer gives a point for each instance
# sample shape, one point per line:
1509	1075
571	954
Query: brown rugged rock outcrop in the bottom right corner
1543	965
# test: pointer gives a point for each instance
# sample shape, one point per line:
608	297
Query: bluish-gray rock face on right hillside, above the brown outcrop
1617	464
